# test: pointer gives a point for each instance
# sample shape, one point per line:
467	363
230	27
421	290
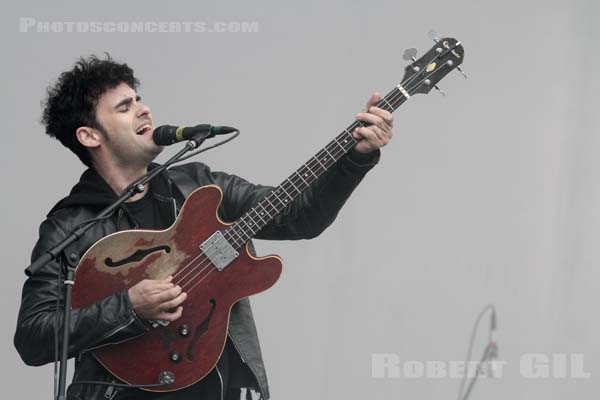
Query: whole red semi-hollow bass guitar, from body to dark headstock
209	258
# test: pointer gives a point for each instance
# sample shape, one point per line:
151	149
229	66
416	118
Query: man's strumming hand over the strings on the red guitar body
157	299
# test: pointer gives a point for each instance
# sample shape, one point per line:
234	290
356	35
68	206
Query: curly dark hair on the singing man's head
71	101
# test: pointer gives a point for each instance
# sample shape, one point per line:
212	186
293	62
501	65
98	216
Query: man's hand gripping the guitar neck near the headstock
379	130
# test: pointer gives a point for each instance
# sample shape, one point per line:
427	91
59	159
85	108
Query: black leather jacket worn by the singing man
113	319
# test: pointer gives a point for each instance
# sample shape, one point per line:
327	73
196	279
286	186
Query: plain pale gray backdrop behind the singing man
487	195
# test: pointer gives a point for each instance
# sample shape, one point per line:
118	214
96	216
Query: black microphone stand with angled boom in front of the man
53	254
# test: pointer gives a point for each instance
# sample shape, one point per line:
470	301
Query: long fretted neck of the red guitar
300	180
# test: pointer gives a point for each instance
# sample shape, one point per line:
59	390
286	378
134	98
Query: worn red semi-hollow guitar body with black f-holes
189	347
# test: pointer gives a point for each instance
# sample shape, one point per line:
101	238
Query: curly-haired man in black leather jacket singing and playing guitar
94	111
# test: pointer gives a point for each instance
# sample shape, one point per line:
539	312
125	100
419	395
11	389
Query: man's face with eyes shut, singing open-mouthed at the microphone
127	140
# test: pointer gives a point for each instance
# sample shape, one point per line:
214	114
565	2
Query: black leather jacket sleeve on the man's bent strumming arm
41	316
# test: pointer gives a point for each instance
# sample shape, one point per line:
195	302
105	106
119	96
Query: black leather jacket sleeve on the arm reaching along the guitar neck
310	213
